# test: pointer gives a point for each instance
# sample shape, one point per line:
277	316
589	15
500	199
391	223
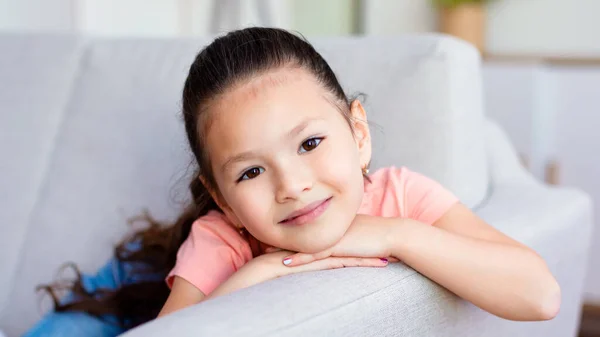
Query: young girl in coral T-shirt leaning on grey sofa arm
282	187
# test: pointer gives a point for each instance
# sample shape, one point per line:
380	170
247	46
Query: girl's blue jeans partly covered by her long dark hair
111	276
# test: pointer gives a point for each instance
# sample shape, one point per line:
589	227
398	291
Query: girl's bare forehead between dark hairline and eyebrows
265	110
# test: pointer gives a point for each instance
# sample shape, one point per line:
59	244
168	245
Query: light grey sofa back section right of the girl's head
425	100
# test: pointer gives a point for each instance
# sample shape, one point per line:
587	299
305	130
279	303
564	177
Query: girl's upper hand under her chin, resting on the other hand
364	239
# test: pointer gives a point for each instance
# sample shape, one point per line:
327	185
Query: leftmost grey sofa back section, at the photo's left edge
36	77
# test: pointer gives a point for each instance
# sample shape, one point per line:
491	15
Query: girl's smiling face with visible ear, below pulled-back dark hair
285	160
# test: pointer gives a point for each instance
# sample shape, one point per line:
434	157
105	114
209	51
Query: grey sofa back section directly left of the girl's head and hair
120	149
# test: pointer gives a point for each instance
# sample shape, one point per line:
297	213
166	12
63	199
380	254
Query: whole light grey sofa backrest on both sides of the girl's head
116	144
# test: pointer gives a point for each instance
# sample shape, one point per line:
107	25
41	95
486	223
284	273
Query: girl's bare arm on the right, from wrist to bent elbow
508	281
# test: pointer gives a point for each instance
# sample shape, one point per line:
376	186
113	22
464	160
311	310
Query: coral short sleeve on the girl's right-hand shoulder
425	199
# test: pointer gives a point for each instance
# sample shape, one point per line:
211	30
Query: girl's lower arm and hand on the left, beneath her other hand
260	269
